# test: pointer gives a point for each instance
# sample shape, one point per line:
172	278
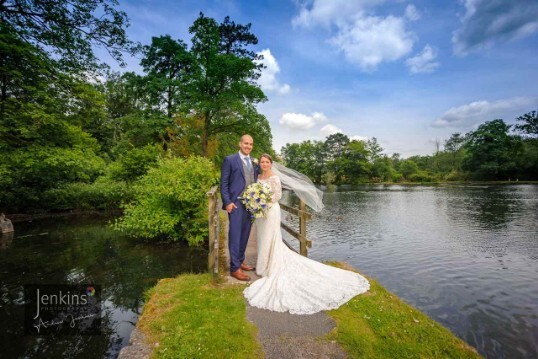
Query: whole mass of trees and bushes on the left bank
74	135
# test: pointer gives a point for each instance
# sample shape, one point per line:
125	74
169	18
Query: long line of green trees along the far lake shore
495	151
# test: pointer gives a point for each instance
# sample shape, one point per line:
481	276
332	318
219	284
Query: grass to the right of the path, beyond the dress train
378	324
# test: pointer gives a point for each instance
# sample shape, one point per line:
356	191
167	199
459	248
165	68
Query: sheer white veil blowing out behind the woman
300	184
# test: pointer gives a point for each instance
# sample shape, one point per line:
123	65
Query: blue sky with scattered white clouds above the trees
406	72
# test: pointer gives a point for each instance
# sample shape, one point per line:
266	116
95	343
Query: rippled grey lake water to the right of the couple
465	255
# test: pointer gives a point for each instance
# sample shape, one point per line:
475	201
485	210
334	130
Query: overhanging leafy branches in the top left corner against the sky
70	29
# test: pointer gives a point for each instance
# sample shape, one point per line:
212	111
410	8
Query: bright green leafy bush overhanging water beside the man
170	201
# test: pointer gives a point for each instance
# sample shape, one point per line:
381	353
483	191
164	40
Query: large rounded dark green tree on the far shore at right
491	151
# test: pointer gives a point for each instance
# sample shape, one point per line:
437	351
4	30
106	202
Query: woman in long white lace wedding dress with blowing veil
289	281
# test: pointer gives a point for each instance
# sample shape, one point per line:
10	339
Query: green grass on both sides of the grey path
192	317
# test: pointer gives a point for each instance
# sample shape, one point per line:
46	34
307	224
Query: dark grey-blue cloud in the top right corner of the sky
488	21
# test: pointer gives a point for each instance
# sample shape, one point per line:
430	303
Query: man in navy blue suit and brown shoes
237	173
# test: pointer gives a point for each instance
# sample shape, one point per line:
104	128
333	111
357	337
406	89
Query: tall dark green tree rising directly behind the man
221	90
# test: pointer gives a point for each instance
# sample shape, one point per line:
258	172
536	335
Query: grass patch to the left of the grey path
189	317
